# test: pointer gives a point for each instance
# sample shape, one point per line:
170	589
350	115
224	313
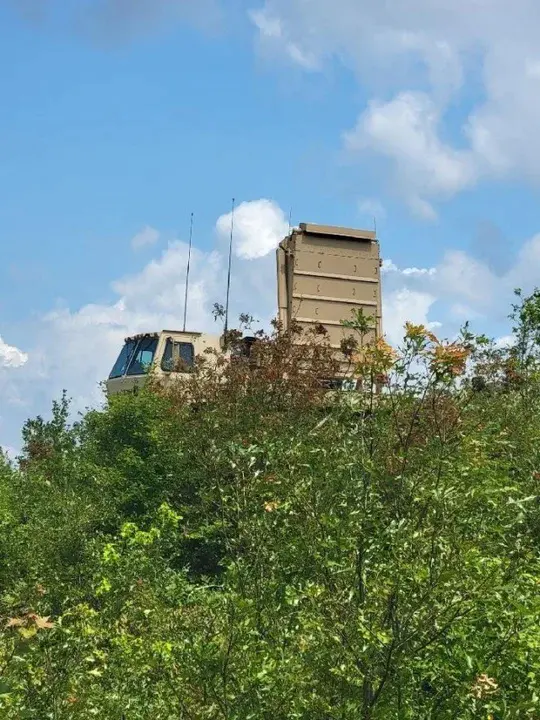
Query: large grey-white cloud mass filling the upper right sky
417	60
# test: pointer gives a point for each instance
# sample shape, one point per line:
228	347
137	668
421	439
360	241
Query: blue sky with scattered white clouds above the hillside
120	117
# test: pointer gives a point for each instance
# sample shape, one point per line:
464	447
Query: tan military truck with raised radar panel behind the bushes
324	274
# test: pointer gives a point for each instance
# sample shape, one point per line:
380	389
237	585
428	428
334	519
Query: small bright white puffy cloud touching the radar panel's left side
259	226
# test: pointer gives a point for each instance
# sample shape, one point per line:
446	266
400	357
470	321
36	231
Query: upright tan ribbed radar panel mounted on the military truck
325	274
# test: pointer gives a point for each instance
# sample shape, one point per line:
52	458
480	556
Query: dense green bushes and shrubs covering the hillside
247	549
